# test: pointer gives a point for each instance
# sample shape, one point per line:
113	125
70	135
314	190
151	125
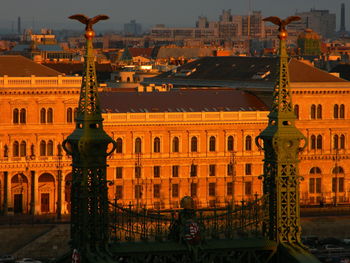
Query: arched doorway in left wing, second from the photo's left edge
46	193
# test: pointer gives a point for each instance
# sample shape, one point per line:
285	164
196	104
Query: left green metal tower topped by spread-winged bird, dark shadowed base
88	146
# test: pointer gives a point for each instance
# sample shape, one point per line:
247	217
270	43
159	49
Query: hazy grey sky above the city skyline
54	13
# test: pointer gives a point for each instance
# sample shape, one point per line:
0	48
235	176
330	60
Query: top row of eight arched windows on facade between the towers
175	145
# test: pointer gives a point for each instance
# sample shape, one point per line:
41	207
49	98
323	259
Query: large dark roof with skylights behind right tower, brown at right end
252	69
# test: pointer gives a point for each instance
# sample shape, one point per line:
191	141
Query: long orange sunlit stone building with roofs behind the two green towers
198	142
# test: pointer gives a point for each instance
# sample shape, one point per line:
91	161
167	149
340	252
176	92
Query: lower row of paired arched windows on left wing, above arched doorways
19	149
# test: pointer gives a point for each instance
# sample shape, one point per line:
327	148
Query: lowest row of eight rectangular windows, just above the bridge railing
175	190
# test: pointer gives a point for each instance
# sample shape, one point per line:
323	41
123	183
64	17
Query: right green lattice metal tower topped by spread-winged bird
282	142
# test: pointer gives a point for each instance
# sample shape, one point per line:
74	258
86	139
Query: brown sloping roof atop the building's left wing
19	66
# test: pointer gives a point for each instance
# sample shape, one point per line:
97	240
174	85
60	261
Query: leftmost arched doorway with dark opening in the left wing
19	190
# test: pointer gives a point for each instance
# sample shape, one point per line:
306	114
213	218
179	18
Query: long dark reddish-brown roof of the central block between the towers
181	101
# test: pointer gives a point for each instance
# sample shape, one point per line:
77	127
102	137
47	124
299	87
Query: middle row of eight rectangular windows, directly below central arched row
175	170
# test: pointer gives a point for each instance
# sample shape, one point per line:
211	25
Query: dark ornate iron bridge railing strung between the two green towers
137	224
